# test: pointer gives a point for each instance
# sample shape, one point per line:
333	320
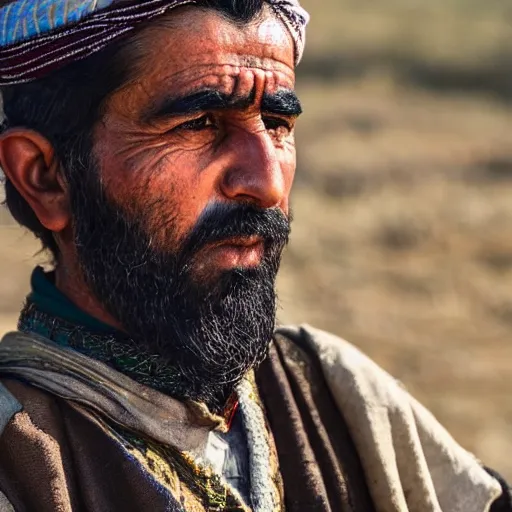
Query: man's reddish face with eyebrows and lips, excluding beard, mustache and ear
208	120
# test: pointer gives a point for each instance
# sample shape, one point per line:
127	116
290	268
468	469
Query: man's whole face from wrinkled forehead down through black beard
192	169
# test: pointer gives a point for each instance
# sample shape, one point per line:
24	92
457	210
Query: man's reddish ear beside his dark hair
29	161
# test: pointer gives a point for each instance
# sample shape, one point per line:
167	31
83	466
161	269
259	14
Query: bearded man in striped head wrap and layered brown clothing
150	147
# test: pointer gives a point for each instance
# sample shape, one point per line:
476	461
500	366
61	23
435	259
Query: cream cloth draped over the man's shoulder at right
404	450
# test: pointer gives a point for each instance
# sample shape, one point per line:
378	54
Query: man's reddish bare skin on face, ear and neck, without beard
236	154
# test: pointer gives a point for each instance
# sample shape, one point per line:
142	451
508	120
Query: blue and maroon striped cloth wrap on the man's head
39	36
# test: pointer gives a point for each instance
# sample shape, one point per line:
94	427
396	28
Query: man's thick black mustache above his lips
222	221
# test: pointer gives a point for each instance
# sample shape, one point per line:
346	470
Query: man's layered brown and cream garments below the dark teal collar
76	434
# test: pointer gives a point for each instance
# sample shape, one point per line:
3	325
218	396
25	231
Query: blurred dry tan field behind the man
402	239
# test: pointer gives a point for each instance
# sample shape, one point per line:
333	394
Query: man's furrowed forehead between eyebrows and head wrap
192	48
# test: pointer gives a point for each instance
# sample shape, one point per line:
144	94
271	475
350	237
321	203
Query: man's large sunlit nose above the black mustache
254	173
